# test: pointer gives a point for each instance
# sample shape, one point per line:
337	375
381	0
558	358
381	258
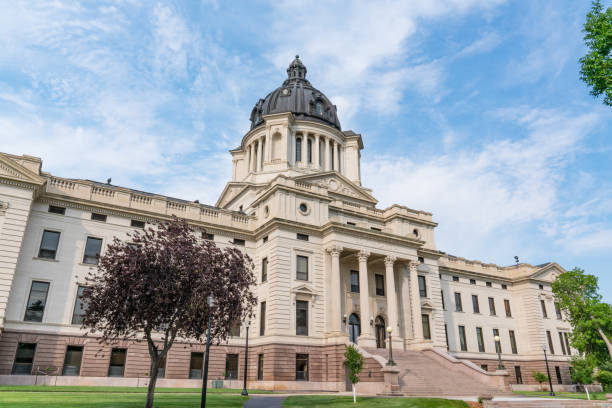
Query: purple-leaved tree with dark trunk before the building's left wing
155	288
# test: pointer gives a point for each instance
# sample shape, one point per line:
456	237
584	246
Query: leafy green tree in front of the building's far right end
591	319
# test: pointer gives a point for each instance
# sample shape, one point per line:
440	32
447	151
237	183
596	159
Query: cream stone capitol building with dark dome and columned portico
331	267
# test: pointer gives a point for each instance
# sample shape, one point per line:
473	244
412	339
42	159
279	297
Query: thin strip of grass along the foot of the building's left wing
93	389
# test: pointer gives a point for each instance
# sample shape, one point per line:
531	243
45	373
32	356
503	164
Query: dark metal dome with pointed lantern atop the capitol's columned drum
297	96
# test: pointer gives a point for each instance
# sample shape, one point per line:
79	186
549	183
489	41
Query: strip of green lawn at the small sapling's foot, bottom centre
328	401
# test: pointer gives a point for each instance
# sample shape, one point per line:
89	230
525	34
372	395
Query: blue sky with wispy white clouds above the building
470	109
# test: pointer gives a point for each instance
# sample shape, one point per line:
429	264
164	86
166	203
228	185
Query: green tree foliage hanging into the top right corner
596	65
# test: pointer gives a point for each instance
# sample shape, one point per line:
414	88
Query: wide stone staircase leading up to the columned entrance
425	373
